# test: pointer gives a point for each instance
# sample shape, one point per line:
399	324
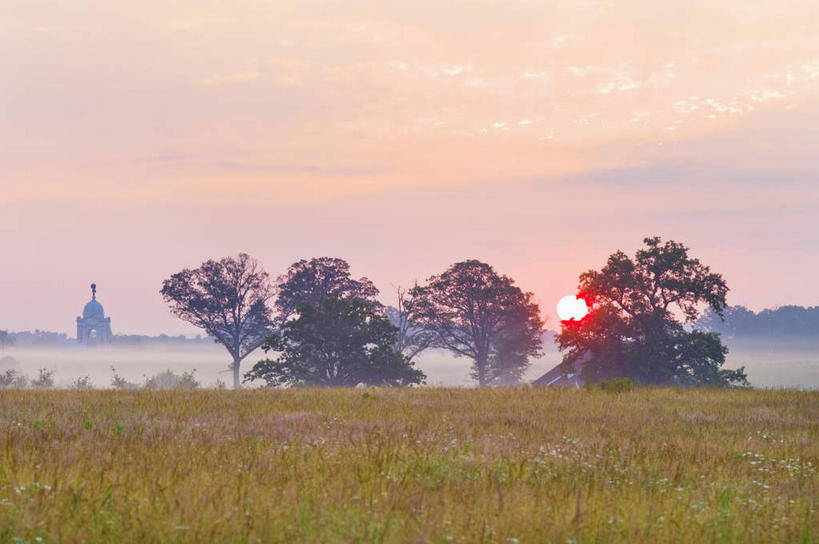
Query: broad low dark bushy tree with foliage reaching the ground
336	342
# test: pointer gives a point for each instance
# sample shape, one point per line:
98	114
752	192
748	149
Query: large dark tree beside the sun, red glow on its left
641	321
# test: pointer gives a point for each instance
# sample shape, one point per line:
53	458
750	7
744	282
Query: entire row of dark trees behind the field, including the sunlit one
320	326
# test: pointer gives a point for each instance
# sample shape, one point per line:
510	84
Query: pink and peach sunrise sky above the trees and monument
140	138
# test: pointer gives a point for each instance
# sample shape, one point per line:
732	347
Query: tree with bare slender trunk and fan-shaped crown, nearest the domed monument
226	298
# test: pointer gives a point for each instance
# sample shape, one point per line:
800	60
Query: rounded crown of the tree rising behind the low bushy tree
308	281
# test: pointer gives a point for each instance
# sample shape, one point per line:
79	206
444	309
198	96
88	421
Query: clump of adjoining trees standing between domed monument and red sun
323	327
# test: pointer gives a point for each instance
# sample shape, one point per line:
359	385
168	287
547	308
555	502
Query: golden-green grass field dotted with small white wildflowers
414	465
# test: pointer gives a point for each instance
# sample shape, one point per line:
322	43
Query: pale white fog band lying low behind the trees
768	362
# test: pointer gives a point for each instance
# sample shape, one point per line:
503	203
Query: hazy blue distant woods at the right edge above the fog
785	321
